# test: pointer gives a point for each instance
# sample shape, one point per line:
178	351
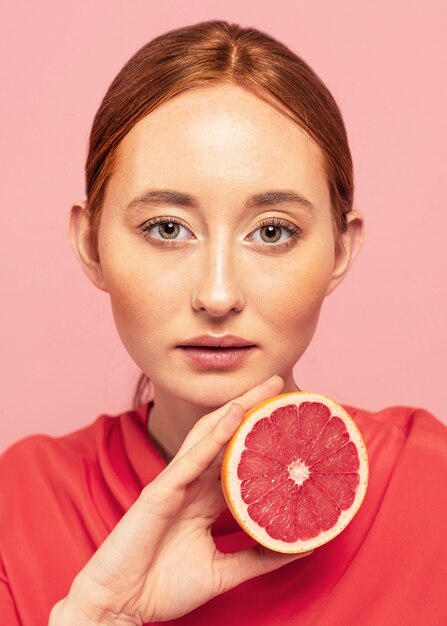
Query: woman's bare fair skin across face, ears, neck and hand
217	272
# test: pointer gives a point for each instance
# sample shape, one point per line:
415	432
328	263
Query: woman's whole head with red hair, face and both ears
229	117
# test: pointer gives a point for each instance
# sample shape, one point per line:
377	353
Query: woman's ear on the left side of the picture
80	234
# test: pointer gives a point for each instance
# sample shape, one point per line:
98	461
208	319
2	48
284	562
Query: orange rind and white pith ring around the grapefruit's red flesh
231	483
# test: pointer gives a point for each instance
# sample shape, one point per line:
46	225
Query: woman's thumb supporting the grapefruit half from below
238	567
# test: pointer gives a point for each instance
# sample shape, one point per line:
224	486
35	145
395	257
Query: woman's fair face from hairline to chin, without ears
221	269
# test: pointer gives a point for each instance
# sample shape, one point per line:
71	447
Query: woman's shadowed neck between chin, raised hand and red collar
171	418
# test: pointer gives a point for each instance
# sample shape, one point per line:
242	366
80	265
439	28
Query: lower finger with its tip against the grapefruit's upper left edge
190	465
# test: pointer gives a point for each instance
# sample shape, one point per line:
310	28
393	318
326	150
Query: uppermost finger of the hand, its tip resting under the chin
247	400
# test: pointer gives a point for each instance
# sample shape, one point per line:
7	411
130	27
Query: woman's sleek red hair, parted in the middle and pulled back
204	54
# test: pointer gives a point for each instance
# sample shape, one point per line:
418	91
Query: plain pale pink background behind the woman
381	339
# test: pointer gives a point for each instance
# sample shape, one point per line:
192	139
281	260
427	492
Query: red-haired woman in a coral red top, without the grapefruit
219	204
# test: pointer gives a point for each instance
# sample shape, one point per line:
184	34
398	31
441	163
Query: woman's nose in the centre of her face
218	288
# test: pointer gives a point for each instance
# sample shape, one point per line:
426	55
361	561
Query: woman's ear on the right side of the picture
347	248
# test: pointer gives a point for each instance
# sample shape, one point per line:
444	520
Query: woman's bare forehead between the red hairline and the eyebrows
221	135
